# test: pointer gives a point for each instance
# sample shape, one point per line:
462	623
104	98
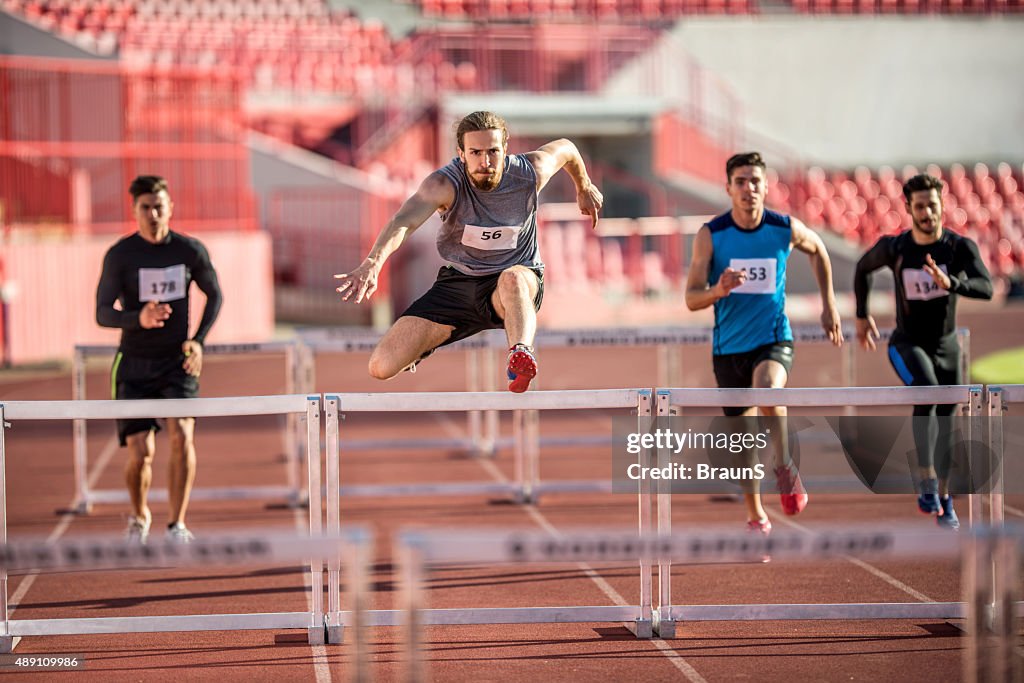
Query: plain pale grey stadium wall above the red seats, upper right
844	91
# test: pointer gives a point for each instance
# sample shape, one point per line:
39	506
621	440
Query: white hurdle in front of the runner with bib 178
310	407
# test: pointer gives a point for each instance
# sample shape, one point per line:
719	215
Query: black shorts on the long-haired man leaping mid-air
464	303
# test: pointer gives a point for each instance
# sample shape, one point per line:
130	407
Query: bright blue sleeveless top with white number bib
753	315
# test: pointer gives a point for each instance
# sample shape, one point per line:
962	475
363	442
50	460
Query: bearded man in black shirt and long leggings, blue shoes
932	268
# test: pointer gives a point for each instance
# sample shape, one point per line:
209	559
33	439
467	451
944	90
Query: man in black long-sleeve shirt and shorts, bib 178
150	274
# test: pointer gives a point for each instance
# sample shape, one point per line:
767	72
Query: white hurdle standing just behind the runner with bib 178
293	436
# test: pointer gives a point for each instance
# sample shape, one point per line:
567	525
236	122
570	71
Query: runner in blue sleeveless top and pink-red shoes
739	266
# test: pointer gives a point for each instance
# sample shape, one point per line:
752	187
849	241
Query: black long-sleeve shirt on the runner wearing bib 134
925	313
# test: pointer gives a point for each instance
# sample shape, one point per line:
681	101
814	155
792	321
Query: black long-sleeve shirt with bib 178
137	272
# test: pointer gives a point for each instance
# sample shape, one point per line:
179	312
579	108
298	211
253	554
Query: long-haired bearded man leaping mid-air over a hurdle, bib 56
488	202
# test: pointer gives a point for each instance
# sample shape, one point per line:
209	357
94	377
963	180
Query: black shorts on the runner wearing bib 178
149	378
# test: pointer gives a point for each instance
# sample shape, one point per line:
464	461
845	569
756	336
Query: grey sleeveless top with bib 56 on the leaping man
486	233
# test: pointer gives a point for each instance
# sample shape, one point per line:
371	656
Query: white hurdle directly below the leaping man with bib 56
639	620
